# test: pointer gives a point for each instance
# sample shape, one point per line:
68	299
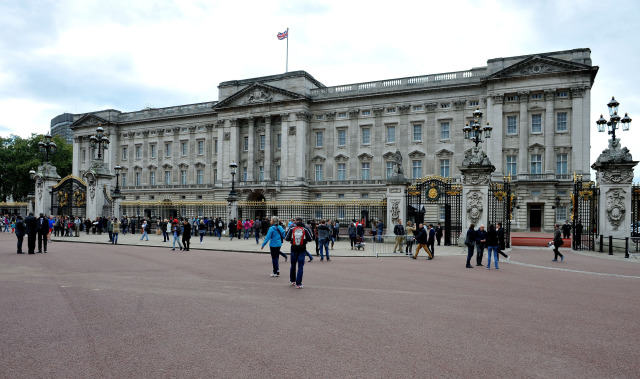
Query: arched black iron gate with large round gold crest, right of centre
434	200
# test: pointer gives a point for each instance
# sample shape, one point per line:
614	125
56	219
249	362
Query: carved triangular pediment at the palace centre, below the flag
258	94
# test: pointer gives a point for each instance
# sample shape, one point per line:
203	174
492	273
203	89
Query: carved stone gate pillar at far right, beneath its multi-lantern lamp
614	172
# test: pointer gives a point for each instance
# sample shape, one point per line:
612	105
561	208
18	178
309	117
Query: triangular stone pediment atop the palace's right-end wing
541	65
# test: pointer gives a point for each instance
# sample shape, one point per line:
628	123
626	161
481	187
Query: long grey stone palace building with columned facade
294	138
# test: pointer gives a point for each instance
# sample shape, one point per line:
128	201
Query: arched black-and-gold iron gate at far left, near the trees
69	197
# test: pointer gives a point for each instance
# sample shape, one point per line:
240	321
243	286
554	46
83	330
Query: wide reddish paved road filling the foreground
93	310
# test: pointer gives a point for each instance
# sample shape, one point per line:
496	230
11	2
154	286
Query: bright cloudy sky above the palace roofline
82	55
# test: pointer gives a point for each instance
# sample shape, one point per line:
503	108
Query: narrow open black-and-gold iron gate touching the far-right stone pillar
585	214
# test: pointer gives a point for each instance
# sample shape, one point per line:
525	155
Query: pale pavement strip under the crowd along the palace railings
342	248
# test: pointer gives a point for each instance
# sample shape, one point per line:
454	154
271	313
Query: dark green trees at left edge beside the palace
19	155
